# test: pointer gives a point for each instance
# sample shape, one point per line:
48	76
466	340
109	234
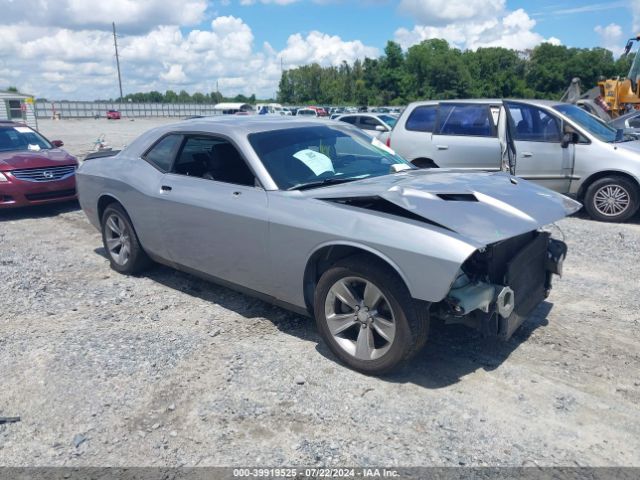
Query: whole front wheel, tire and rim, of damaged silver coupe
367	317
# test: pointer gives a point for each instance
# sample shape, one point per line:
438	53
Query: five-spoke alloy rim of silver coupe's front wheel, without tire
360	318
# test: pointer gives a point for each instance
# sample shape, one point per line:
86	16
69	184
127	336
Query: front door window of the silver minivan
533	124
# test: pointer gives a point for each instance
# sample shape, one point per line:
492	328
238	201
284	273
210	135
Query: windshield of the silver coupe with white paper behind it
309	155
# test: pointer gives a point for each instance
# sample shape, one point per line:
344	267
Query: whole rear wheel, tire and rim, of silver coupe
121	242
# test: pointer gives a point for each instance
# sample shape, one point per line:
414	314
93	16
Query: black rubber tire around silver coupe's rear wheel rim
137	260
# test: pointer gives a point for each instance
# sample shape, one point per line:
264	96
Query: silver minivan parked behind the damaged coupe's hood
557	145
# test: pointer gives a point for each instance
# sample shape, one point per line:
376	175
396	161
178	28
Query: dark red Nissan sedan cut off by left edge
33	170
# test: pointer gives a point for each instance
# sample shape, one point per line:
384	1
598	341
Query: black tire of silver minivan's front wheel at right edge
623	184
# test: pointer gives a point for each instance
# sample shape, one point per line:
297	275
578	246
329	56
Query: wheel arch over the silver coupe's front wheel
326	255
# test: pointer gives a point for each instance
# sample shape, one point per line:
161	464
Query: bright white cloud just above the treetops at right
509	29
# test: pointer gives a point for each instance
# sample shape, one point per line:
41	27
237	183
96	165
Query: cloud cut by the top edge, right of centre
433	12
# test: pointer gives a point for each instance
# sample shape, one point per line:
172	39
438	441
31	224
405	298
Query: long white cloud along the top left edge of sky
129	15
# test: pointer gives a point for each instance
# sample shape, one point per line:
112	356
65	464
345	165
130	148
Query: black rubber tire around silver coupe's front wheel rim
411	318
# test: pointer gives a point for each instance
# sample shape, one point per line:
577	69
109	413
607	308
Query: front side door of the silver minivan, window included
537	135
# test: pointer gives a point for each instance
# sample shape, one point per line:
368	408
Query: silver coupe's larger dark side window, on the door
213	158
